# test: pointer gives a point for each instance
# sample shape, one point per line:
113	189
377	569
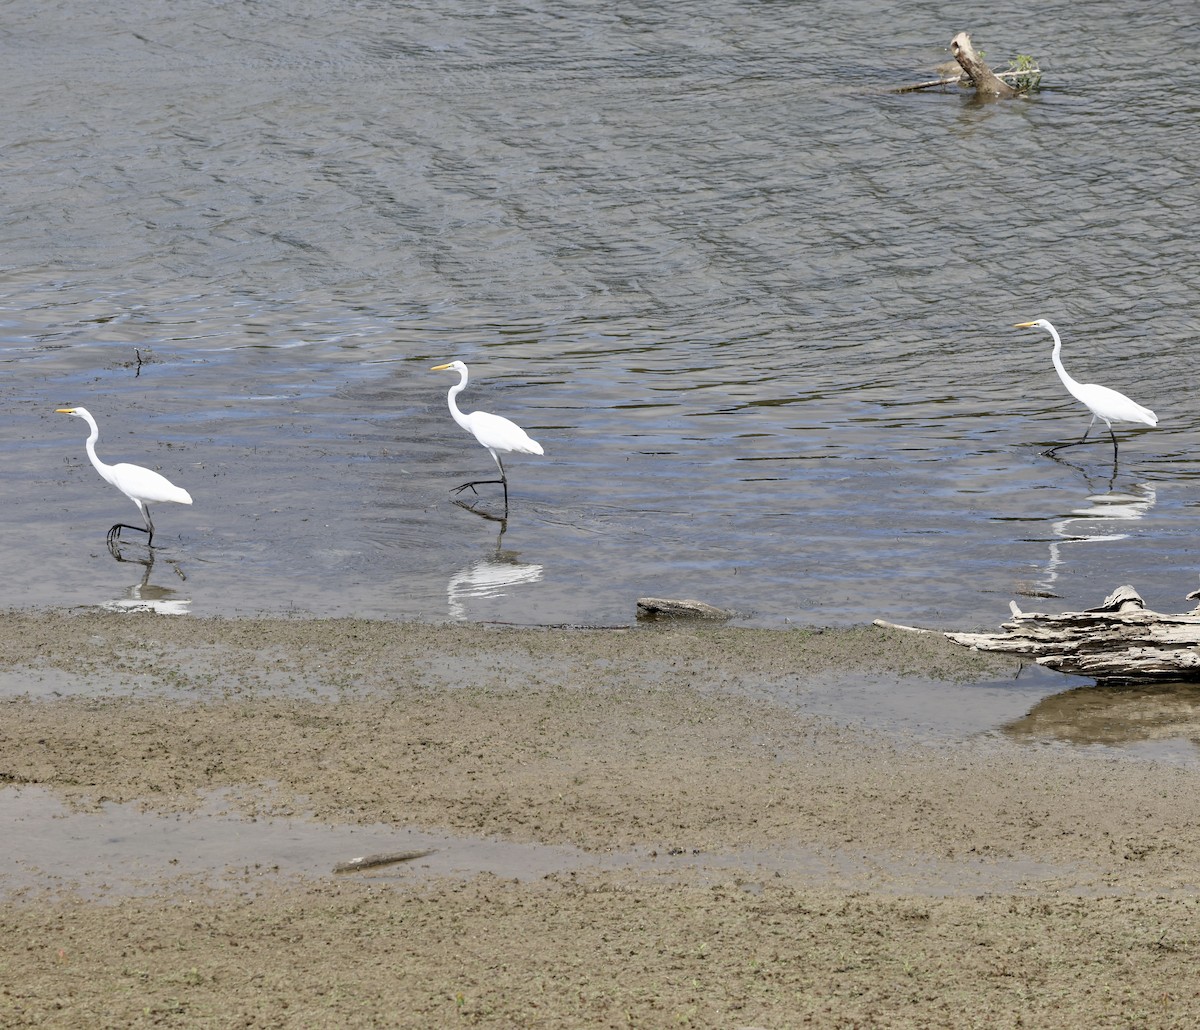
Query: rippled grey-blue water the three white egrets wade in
757	309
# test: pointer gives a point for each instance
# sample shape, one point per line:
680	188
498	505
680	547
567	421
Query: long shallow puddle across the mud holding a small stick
131	852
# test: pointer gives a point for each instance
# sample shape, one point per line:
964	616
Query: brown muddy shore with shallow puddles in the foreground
631	828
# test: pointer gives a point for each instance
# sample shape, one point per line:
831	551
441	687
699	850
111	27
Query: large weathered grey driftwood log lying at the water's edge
1121	642
